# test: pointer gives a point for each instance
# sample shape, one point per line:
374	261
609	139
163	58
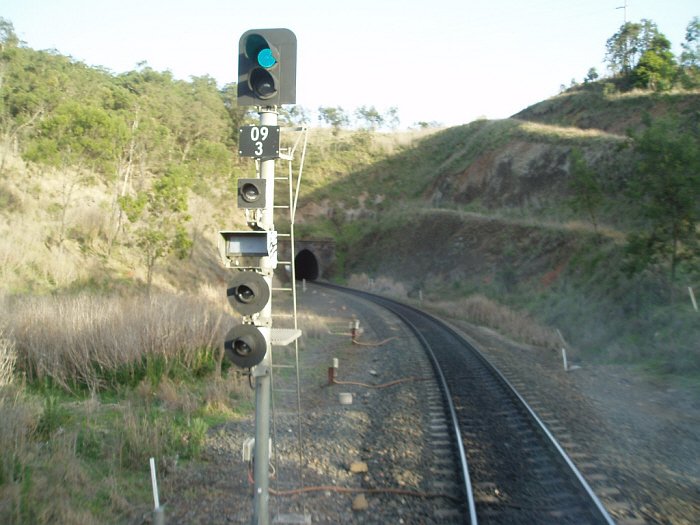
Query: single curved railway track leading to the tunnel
511	467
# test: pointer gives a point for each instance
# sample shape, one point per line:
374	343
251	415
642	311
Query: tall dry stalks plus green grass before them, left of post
79	427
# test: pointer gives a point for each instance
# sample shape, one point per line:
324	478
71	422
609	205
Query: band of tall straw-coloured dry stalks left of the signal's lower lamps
92	340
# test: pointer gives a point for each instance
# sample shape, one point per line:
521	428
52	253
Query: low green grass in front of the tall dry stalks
93	451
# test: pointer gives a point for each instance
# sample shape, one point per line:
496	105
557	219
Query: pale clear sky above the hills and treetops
444	61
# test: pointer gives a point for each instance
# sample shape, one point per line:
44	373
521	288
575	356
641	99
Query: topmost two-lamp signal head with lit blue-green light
267	63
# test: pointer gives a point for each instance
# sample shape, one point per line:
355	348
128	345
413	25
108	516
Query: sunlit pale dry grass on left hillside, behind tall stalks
56	228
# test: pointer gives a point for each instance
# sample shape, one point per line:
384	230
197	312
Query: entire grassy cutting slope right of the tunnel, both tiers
489	208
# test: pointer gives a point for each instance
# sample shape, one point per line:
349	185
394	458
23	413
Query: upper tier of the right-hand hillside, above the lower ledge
521	162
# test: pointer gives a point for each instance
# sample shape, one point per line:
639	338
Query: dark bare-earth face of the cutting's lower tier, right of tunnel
450	246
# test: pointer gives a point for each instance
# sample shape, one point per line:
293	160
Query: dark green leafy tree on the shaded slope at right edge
666	193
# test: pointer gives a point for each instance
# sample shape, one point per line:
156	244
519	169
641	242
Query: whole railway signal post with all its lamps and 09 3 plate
266	79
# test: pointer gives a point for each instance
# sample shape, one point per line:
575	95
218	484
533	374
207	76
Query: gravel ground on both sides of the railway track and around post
619	430
